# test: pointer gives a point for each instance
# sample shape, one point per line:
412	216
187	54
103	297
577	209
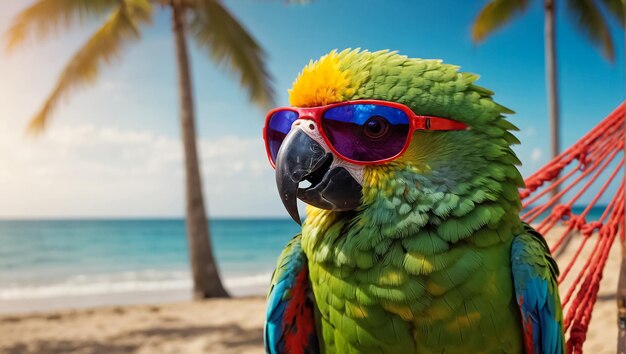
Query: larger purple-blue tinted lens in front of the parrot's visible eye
366	132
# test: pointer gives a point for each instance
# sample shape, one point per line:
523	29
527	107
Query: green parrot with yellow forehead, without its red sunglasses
422	254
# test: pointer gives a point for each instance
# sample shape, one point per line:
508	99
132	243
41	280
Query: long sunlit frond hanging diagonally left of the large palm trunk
102	47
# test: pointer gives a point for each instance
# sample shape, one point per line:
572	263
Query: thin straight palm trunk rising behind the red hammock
551	78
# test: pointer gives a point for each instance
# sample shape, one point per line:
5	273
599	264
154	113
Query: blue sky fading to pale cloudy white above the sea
113	149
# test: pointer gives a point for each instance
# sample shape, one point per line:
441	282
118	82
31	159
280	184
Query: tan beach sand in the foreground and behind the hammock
213	326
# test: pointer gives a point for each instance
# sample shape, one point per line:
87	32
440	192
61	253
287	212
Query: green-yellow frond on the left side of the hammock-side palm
495	15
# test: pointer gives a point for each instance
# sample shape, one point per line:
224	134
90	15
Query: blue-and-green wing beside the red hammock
535	278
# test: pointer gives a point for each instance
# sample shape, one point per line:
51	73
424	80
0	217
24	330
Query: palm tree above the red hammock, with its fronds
588	16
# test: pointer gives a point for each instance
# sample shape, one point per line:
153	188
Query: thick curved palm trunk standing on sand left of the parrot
206	279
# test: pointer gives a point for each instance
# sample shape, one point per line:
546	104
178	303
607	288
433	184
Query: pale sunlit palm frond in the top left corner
46	17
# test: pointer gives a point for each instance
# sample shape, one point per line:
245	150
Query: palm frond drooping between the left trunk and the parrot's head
228	42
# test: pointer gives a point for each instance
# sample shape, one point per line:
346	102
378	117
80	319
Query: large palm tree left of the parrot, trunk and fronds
212	28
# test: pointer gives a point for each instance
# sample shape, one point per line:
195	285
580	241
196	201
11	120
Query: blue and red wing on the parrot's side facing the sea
290	324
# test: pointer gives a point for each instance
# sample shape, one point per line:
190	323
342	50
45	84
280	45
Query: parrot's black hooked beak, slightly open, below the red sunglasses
302	158
